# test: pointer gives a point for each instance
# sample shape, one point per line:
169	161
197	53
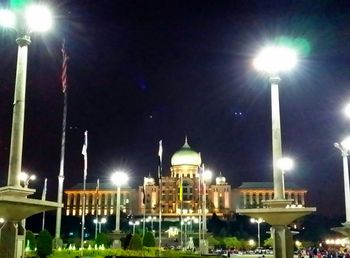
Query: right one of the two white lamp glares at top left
38	18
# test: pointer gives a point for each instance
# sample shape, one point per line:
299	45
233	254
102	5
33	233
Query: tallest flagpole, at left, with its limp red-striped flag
63	142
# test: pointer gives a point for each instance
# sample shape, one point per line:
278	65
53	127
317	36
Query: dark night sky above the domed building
141	71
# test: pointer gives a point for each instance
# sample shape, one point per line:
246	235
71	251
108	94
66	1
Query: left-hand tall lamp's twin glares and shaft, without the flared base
35	18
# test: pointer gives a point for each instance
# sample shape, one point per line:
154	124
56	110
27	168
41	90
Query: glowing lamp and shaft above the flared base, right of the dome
273	60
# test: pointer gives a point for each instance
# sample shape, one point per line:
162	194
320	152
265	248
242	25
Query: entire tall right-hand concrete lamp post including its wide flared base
273	60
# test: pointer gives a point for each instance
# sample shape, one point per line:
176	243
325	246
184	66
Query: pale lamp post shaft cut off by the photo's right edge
344	148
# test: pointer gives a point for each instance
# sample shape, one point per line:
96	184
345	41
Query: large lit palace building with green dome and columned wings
181	193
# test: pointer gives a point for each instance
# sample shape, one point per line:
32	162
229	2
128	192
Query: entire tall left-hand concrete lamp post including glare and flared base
25	20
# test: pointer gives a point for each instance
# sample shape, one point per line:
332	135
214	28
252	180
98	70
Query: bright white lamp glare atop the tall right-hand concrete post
275	59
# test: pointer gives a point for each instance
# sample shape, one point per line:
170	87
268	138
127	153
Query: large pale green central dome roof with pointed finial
186	156
